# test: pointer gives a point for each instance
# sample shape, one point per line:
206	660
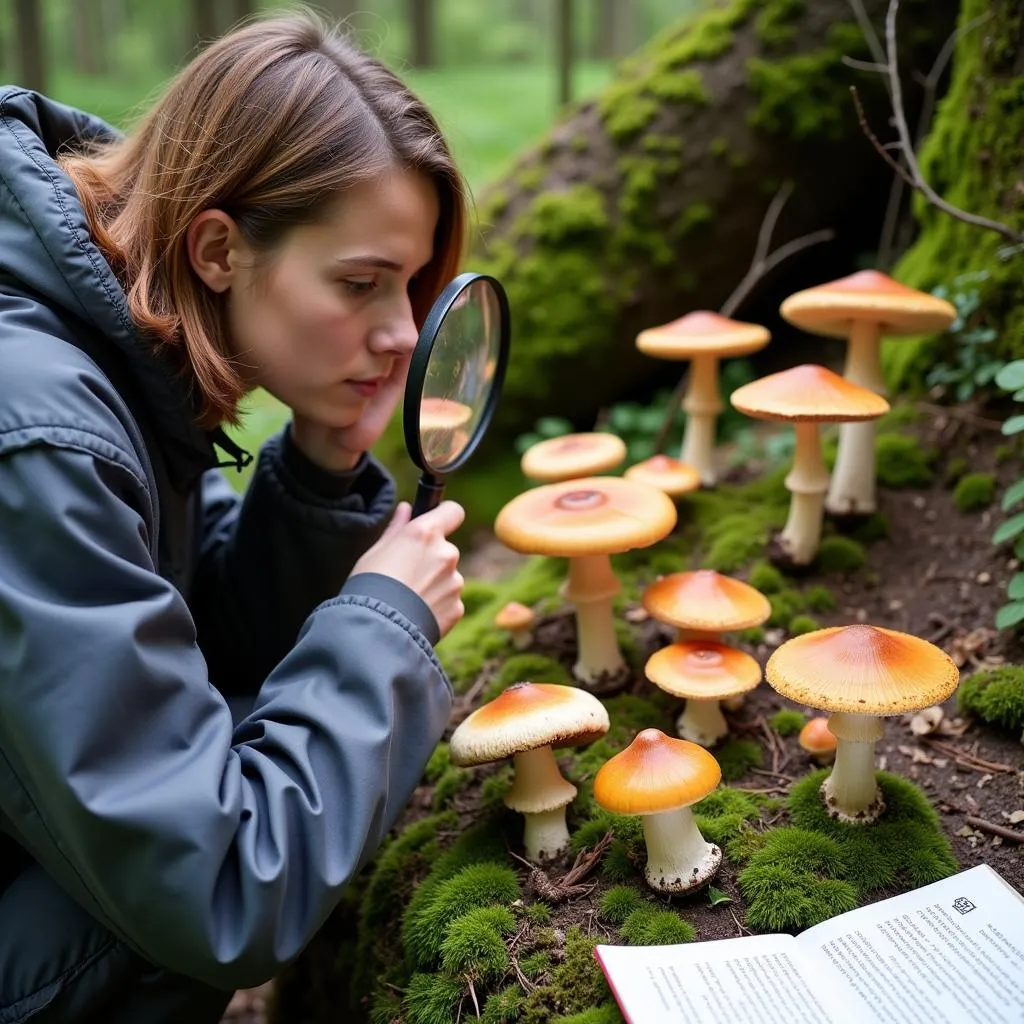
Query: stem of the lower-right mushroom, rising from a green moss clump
850	792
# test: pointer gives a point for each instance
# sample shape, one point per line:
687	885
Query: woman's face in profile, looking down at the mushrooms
329	323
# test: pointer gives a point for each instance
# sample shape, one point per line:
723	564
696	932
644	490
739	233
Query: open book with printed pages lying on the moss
951	953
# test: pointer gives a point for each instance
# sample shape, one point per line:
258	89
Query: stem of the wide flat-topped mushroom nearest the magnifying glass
591	586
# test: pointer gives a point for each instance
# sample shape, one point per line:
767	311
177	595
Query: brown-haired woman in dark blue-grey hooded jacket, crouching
283	218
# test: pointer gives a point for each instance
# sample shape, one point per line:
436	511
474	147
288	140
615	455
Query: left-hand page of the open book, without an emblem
756	980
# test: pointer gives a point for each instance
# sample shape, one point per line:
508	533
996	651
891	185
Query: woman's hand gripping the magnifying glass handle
417	553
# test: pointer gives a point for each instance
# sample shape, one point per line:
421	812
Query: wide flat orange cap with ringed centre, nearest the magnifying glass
589	517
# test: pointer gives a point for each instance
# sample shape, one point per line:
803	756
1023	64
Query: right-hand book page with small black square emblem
951	953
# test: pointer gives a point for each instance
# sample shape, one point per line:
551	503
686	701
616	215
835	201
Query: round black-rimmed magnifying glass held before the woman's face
455	380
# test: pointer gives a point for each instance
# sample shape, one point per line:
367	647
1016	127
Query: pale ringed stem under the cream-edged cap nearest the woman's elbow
541	793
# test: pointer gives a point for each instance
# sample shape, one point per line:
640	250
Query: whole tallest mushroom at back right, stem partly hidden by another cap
864	309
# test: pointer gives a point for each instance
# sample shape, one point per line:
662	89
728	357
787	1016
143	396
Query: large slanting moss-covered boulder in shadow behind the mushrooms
647	203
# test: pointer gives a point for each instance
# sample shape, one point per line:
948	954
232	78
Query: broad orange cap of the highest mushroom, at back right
868	296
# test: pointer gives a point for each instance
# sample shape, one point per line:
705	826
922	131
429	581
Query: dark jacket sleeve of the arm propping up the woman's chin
269	560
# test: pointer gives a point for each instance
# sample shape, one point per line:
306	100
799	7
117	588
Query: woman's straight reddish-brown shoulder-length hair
270	124
